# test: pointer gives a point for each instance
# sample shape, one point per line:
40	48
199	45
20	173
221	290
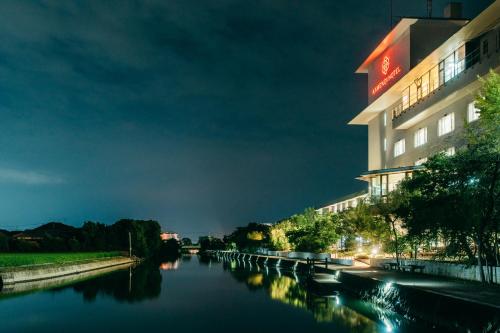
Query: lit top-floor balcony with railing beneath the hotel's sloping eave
447	69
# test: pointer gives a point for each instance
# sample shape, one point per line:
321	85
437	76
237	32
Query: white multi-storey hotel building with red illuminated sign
422	81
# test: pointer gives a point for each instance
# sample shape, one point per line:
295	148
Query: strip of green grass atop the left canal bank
27	259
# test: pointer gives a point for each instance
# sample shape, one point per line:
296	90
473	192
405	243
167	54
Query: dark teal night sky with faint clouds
203	115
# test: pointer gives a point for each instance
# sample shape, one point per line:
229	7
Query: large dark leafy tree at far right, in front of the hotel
457	198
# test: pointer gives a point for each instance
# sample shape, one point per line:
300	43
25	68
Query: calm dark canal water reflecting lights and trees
194	294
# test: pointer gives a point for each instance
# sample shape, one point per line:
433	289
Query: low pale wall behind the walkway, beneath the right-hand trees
452	270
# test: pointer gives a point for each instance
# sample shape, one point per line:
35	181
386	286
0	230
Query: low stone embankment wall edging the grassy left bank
11	275
